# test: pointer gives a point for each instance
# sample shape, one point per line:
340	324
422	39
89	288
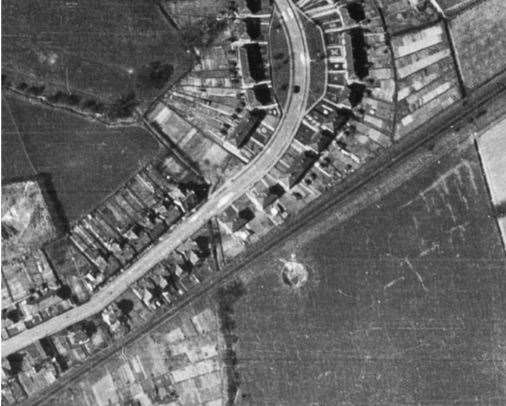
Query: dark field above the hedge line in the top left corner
91	47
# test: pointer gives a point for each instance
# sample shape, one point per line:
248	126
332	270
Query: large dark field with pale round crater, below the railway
403	303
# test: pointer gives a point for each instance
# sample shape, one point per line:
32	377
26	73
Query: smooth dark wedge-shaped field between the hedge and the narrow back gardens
85	160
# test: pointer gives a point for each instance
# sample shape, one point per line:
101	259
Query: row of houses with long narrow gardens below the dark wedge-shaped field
126	223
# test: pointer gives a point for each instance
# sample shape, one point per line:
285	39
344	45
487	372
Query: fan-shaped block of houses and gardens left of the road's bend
223	112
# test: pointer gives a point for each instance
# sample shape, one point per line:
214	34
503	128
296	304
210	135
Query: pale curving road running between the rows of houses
293	112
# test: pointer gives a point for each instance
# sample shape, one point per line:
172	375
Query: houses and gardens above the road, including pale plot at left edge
50	276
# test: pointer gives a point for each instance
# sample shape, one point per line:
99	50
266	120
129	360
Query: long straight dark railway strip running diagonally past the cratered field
378	177
